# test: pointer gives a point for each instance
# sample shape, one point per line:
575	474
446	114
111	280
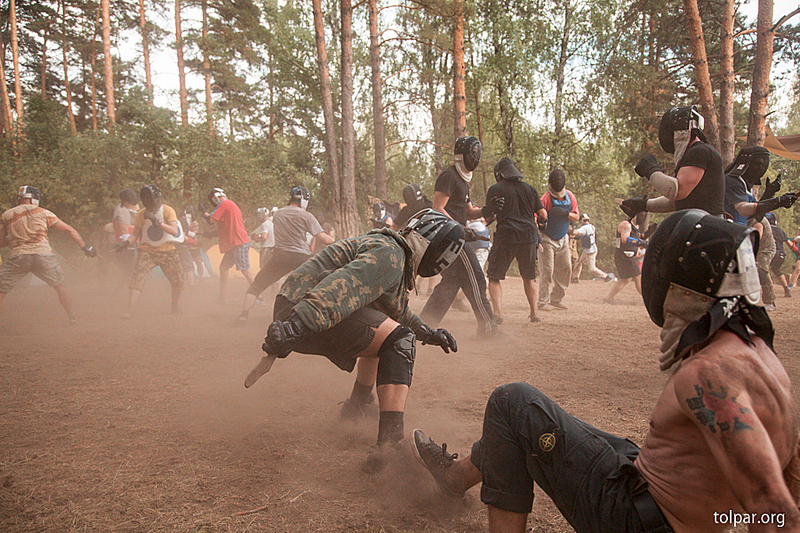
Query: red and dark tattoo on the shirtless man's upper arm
714	409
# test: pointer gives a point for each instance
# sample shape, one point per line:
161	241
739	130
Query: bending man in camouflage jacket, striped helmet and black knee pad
350	301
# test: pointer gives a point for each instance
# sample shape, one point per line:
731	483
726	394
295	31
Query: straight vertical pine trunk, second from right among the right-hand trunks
727	133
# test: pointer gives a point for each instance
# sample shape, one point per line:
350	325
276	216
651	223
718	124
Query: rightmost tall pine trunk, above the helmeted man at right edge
756	125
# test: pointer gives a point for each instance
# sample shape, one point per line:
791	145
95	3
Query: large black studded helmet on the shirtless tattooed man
703	253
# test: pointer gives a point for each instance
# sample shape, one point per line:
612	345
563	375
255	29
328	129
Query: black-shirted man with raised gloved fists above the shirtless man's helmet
698	181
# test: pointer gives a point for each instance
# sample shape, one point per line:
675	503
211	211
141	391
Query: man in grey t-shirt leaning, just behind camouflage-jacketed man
292	224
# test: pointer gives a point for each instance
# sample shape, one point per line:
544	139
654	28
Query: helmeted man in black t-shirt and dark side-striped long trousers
451	196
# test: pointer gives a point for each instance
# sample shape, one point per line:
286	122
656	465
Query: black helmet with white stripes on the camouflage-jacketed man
444	235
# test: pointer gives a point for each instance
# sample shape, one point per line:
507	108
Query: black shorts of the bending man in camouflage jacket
341	343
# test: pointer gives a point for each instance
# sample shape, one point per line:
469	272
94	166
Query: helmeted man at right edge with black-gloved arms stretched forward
740	204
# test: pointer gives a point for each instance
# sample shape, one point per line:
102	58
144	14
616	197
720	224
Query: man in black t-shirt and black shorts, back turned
516	236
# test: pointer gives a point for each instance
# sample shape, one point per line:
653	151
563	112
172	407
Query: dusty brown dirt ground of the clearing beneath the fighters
145	425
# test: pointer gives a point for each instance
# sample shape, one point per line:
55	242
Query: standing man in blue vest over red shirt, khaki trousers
556	264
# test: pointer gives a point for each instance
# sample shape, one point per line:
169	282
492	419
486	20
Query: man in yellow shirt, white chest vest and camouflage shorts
157	230
